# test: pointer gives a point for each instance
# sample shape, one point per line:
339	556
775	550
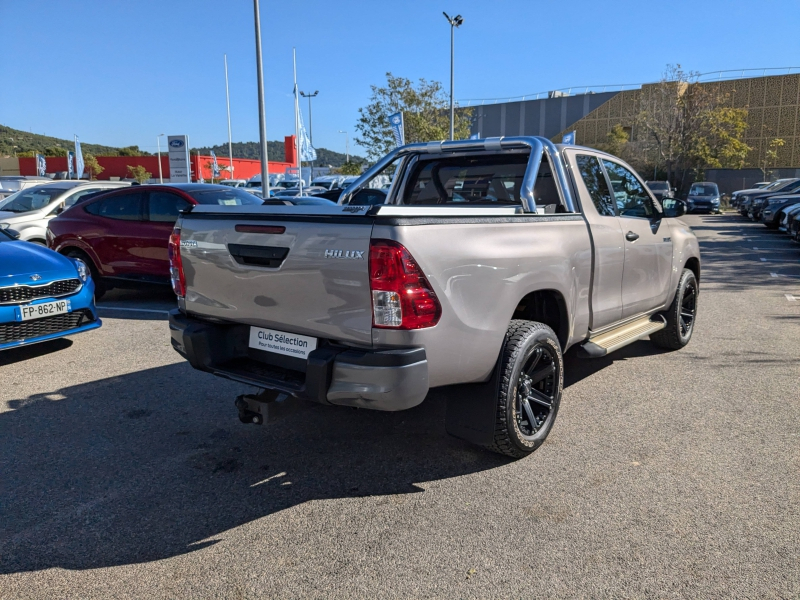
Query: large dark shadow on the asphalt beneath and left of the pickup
155	464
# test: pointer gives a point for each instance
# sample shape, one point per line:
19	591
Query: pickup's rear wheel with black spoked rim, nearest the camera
530	383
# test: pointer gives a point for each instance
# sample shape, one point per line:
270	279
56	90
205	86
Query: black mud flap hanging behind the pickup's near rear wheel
472	409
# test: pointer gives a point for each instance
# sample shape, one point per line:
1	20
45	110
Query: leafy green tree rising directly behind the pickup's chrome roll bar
426	115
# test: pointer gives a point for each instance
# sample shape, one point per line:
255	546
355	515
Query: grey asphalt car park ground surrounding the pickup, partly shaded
126	474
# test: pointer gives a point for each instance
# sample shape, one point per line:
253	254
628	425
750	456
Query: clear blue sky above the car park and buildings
119	73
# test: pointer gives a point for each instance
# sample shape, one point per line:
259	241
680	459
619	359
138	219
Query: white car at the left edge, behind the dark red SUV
30	210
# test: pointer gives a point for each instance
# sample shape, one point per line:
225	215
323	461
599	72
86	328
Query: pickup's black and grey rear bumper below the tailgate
389	380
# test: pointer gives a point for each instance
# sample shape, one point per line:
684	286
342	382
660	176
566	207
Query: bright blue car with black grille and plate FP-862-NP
43	295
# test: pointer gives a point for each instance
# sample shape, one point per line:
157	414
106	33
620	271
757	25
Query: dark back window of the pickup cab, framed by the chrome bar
465	179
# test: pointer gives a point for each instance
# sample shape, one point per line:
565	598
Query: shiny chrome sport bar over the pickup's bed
537	145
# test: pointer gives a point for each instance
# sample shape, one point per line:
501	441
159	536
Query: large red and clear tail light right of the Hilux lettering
402	298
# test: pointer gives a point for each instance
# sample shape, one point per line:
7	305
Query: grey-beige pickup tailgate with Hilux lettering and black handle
299	274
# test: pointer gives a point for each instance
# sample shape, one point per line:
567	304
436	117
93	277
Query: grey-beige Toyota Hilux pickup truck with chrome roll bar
489	259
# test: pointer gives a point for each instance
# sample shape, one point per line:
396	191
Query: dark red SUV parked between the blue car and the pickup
123	235
